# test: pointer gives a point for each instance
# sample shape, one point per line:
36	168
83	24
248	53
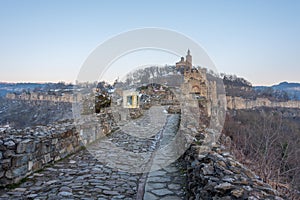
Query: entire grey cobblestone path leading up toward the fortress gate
105	169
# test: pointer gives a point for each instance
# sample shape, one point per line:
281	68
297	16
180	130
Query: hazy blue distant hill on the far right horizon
292	89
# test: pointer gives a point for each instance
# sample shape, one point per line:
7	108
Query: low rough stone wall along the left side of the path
23	151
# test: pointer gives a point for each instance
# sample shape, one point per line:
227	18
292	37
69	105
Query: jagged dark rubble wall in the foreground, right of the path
216	174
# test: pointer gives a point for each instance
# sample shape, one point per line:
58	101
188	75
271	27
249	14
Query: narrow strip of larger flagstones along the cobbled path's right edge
168	182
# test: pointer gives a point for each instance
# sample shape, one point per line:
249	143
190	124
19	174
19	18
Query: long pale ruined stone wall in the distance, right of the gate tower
241	103
